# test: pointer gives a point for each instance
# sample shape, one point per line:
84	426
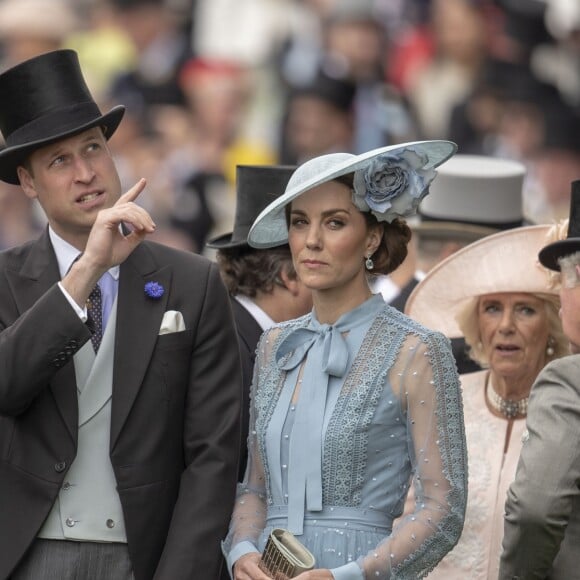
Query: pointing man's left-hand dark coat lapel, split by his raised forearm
38	274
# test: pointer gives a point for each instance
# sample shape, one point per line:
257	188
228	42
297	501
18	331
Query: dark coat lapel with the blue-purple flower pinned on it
138	322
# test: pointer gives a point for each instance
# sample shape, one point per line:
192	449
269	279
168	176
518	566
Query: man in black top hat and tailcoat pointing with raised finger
120	387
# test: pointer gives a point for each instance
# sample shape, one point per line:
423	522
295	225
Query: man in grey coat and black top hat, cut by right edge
542	513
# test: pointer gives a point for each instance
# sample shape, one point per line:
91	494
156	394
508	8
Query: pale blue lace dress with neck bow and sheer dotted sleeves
342	418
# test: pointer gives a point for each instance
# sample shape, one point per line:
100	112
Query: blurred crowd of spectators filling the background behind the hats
211	84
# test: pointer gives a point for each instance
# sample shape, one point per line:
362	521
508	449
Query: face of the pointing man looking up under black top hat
73	179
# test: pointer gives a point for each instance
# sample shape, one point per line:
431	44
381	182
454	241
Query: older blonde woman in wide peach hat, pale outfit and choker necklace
496	294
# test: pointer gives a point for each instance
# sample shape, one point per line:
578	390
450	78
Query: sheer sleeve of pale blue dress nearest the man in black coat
249	515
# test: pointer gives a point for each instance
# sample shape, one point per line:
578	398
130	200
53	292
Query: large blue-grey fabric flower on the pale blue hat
393	184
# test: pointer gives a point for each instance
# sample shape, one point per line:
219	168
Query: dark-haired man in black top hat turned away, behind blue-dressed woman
262	283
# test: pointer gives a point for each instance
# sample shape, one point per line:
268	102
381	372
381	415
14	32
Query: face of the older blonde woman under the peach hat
514	332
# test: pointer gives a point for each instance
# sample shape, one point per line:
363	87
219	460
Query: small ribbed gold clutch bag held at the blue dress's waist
284	556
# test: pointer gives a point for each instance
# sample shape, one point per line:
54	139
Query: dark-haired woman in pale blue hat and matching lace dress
353	401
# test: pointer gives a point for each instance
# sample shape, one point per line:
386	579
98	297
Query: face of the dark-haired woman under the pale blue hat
329	238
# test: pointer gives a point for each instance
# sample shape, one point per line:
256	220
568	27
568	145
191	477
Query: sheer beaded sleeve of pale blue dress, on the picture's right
425	379
